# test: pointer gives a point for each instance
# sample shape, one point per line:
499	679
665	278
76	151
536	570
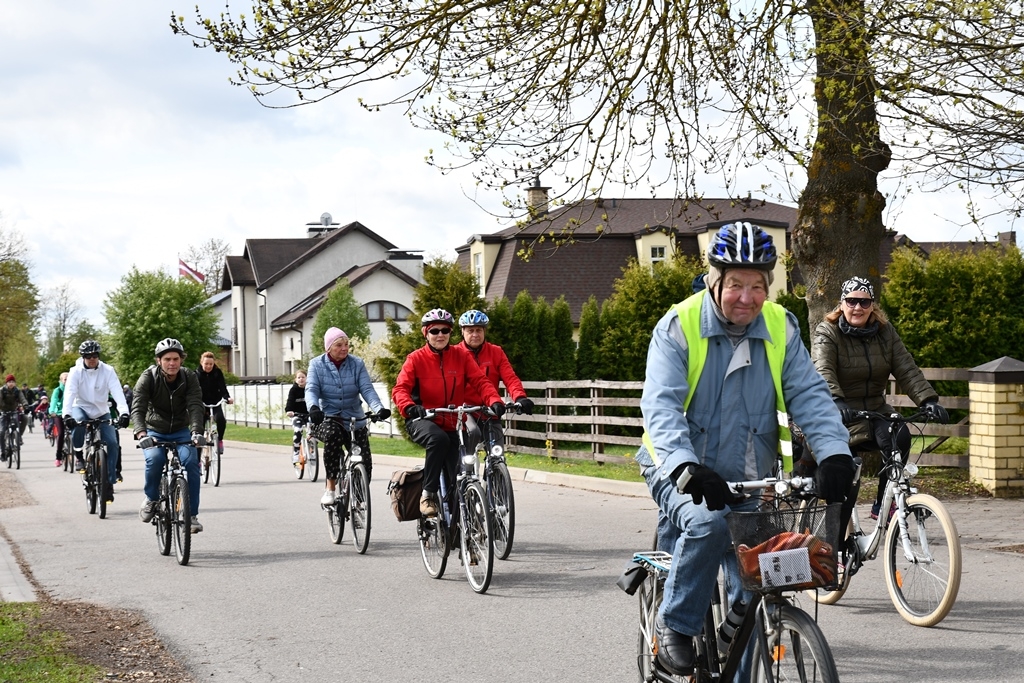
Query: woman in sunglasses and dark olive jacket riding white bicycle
856	349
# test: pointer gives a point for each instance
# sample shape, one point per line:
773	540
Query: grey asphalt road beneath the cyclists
268	596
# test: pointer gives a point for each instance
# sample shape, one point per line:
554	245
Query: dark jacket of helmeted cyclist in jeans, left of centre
167	408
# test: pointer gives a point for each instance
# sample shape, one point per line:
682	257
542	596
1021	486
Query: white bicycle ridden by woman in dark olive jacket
922	567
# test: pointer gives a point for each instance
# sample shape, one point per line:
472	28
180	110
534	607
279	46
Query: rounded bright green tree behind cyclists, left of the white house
150	307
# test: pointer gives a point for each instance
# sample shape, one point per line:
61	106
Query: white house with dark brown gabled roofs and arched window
279	285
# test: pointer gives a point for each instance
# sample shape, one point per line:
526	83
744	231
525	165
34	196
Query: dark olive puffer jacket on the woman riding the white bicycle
858	368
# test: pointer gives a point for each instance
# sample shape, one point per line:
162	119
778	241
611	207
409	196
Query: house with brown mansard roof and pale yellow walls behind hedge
607	235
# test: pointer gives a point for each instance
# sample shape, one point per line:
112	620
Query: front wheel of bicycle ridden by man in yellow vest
797	651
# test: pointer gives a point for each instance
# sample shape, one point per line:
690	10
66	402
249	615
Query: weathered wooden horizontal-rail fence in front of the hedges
574	419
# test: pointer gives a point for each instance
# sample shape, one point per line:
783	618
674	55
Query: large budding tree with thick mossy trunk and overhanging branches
825	95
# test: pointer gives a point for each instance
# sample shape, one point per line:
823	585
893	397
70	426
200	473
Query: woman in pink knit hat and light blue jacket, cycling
335	382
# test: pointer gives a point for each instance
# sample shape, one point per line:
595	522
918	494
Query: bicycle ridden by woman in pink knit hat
353	501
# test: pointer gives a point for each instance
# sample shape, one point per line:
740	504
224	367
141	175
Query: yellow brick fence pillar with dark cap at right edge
997	392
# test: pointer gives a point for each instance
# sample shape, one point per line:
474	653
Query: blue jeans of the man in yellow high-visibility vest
700	543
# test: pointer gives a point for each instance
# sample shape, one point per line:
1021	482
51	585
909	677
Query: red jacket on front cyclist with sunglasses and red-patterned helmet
440	379
